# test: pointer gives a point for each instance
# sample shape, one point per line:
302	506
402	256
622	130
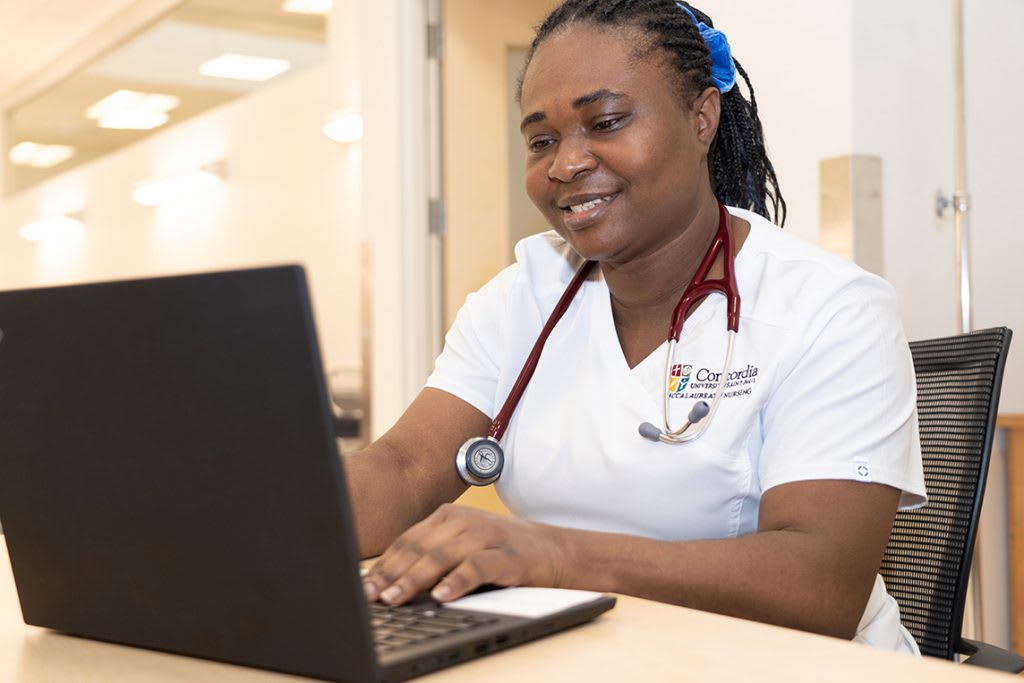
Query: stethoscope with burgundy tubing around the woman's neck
481	459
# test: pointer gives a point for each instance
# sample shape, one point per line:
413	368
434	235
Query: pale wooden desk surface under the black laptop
638	639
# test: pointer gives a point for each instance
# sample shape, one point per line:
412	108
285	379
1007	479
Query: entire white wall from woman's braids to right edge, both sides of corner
876	78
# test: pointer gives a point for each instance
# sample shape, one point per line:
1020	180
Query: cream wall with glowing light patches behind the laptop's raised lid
291	196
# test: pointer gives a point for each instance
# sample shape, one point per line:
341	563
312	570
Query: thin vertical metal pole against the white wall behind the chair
962	207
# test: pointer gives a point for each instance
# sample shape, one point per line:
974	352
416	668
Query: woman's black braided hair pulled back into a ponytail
742	175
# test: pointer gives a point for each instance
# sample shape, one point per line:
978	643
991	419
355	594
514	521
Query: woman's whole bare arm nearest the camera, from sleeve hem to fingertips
812	565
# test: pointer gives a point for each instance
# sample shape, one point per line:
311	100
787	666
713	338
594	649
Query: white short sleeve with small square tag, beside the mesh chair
845	406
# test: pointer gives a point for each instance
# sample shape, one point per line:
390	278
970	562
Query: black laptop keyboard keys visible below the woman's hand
401	626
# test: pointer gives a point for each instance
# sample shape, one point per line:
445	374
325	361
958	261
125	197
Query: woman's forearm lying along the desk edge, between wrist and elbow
786	578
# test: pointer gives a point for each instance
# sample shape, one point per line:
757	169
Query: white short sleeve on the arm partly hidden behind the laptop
470	366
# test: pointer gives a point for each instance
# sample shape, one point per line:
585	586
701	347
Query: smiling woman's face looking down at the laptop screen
615	160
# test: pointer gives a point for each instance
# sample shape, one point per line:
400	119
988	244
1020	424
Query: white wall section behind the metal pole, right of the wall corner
904	111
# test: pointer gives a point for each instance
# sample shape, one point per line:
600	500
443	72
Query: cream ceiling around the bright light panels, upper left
163	59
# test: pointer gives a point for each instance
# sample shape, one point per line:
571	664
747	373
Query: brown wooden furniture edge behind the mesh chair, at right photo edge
1014	424
